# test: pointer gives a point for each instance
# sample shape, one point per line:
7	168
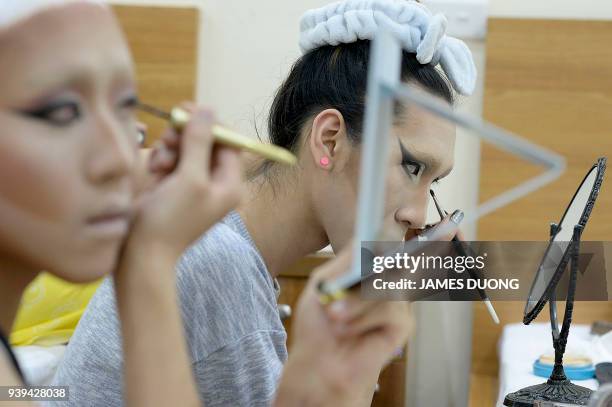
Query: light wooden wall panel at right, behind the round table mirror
551	82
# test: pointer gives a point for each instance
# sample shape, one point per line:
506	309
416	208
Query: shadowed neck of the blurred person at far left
15	278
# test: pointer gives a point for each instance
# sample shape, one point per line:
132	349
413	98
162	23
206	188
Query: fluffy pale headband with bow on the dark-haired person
418	30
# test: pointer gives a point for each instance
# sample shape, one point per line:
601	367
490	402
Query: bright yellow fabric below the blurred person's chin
50	310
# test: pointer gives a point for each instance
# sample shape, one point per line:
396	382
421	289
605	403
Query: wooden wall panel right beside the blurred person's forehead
163	41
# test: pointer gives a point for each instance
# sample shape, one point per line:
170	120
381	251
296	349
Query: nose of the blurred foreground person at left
112	152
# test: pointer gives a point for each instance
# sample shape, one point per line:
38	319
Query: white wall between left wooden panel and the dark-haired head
245	50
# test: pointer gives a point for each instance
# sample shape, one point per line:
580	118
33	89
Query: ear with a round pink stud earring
328	139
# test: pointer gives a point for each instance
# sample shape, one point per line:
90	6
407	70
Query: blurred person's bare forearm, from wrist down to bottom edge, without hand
157	365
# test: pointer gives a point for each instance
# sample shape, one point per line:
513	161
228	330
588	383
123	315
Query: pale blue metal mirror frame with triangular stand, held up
384	88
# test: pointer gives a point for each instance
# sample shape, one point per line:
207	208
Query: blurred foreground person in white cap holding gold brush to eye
68	160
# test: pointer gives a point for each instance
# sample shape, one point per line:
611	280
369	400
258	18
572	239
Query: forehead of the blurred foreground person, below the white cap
77	38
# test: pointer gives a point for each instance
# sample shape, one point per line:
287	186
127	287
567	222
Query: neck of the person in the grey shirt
282	223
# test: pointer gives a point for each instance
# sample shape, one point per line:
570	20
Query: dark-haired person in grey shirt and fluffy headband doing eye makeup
236	339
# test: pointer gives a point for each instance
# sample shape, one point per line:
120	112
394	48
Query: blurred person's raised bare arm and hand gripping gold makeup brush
186	198
